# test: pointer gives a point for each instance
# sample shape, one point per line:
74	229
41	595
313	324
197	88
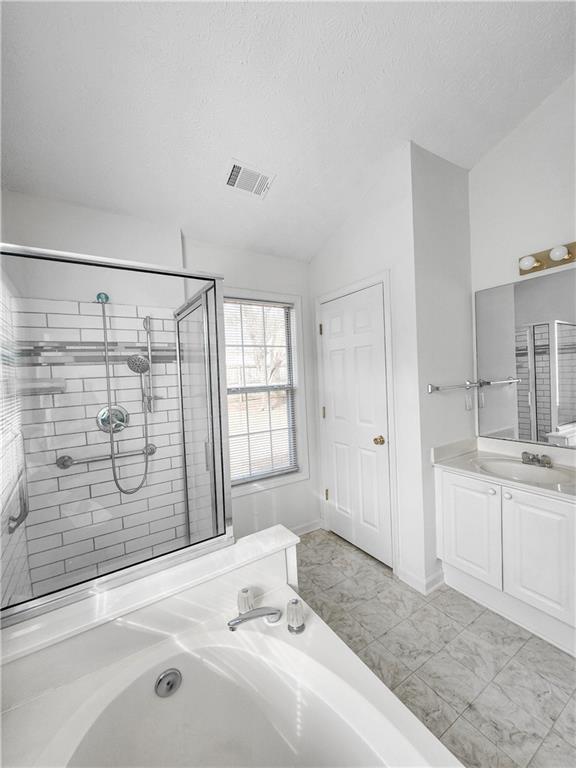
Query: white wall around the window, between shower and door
294	504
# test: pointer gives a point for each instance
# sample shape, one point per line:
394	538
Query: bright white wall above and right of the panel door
378	236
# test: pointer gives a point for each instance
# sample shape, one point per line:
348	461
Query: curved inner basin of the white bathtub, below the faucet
232	709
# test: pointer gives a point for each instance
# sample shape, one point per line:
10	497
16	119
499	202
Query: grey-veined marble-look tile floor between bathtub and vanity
496	696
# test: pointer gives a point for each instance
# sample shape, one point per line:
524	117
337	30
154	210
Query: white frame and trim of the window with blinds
301	472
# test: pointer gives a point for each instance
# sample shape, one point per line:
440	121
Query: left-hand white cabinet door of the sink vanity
472	530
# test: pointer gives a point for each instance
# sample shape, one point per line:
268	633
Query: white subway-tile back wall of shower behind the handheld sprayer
79	525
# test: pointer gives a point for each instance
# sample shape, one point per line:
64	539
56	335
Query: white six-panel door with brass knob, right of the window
355	423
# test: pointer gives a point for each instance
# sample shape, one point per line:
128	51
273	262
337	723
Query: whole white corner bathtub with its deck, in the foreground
259	696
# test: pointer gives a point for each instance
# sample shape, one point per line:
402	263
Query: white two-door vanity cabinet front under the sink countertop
512	549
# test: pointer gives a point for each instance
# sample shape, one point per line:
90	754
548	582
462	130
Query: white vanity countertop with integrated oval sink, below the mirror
507	470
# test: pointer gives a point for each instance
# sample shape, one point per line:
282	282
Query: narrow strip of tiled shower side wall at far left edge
14	575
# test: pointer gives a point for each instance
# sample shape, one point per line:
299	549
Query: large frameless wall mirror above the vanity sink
526	331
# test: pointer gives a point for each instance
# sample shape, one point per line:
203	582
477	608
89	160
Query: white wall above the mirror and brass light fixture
522	193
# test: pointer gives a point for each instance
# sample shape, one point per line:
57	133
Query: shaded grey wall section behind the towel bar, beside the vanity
444	314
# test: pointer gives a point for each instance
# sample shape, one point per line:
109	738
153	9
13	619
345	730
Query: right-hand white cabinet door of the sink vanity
538	541
